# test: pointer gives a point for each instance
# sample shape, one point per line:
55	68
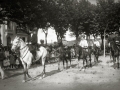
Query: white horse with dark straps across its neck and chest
26	56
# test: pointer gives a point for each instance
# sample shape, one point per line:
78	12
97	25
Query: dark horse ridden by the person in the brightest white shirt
83	54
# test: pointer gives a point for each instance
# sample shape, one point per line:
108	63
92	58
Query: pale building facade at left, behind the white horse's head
8	30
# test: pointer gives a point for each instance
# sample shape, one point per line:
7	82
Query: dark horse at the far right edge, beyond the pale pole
114	50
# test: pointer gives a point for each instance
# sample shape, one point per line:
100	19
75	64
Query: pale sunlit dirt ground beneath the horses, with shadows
101	76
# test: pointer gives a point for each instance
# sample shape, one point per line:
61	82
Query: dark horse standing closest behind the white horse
64	54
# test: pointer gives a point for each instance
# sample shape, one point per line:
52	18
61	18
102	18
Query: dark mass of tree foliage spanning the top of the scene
77	15
